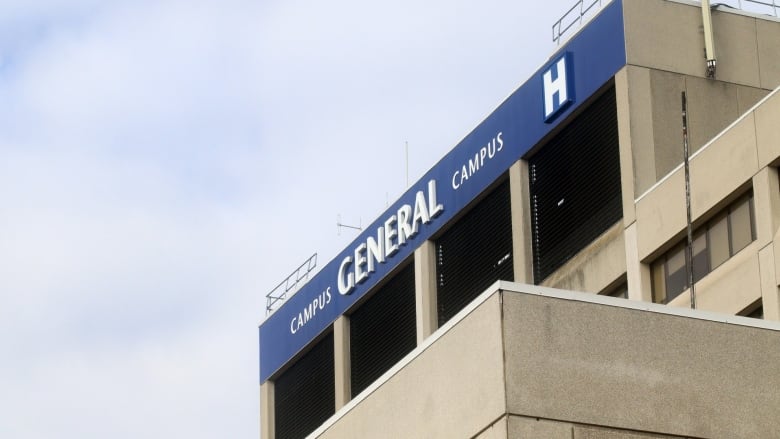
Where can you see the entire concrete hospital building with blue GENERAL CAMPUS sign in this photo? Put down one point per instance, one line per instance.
(463, 311)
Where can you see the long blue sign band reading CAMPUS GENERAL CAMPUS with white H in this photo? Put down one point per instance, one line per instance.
(507, 134)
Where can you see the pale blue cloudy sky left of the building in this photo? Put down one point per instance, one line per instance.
(164, 164)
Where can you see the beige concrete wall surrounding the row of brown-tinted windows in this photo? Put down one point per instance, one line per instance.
(737, 160)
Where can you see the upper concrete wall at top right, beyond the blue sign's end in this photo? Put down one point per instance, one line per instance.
(665, 55)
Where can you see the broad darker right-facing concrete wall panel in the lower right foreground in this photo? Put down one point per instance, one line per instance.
(623, 368)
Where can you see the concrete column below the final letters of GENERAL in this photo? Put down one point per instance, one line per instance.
(425, 290)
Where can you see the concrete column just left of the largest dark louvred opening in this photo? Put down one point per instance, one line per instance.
(520, 197)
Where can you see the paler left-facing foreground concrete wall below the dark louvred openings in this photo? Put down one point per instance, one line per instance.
(454, 388)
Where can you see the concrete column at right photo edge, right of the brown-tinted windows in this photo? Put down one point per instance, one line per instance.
(766, 198)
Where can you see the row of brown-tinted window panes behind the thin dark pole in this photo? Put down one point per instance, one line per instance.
(725, 235)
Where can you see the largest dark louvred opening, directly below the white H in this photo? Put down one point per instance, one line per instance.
(575, 186)
